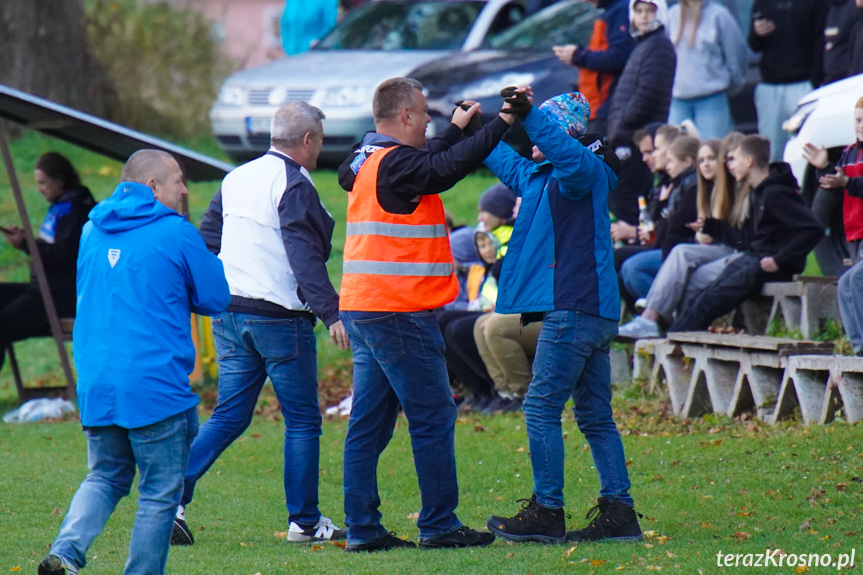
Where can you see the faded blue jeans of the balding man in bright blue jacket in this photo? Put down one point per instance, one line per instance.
(161, 451)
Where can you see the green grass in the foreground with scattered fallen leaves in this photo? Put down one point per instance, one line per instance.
(704, 486)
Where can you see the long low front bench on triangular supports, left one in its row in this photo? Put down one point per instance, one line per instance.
(721, 373)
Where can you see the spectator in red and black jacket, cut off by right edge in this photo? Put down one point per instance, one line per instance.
(846, 177)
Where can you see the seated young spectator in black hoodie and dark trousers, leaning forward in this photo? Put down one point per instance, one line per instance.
(777, 237)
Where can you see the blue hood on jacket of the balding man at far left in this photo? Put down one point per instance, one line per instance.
(130, 206)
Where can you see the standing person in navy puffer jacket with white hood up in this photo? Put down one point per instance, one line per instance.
(642, 96)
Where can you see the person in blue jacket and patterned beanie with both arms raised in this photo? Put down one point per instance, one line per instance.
(559, 268)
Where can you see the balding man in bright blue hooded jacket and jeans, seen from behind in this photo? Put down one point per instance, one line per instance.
(142, 269)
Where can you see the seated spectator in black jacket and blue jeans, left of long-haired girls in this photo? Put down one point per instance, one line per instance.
(680, 195)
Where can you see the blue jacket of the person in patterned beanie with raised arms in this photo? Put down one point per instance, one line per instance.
(560, 253)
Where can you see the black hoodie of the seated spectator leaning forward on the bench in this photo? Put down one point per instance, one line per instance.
(779, 225)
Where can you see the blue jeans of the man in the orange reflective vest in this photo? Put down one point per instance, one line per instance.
(398, 359)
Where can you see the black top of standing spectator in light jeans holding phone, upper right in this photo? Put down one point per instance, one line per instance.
(788, 55)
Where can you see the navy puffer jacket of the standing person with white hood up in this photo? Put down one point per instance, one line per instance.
(643, 93)
